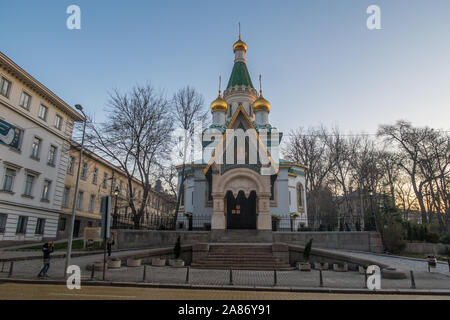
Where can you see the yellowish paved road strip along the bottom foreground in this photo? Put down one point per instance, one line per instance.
(17, 291)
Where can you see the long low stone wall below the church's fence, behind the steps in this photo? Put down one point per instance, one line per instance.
(360, 241)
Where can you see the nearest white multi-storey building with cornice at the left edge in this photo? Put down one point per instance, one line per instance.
(35, 132)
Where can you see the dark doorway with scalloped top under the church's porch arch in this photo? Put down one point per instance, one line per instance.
(241, 211)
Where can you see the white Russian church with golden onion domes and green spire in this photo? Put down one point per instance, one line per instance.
(241, 183)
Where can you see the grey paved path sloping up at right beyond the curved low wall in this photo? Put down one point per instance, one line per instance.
(402, 263)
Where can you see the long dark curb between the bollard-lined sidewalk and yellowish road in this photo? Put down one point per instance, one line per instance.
(429, 292)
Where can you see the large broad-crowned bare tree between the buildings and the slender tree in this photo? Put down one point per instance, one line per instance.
(135, 137)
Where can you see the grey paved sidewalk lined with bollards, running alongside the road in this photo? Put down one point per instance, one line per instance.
(167, 275)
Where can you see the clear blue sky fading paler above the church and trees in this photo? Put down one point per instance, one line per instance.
(320, 63)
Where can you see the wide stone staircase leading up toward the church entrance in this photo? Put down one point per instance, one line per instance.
(241, 256)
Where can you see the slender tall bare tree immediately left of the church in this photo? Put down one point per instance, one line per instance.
(188, 107)
